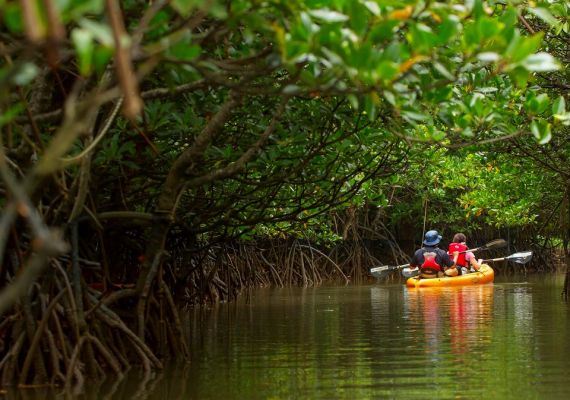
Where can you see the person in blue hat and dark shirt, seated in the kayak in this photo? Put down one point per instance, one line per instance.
(433, 261)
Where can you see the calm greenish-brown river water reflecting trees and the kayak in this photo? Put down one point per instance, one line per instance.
(507, 340)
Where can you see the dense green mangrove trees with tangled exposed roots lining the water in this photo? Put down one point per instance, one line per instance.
(161, 154)
